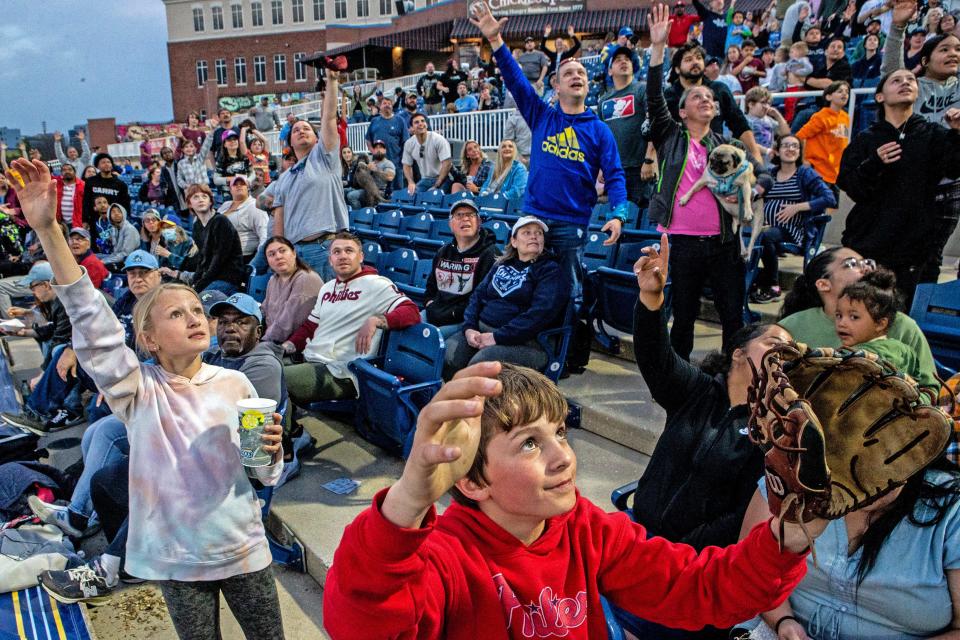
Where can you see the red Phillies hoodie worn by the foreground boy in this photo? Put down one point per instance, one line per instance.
(461, 576)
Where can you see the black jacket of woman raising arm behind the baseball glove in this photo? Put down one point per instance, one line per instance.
(704, 469)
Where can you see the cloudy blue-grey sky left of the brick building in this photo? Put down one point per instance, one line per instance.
(65, 61)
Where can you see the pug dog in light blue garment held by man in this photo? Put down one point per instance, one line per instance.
(729, 173)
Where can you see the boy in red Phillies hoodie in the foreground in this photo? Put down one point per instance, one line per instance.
(520, 554)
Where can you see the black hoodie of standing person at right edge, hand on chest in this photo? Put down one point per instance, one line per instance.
(893, 218)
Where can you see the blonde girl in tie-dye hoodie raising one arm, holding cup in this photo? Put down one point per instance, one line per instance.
(194, 523)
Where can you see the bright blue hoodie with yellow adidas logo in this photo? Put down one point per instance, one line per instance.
(567, 154)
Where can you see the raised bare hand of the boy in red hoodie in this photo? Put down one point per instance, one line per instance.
(444, 445)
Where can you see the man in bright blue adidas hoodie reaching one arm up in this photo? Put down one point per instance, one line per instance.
(571, 146)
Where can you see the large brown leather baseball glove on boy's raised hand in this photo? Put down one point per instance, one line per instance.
(840, 429)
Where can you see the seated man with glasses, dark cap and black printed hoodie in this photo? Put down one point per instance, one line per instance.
(458, 268)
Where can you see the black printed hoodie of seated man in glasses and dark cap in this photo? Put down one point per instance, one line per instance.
(455, 276)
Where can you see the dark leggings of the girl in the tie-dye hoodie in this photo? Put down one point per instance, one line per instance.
(194, 607)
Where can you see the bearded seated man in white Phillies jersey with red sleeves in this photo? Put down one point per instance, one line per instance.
(353, 309)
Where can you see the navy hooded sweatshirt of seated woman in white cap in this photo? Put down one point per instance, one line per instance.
(519, 299)
